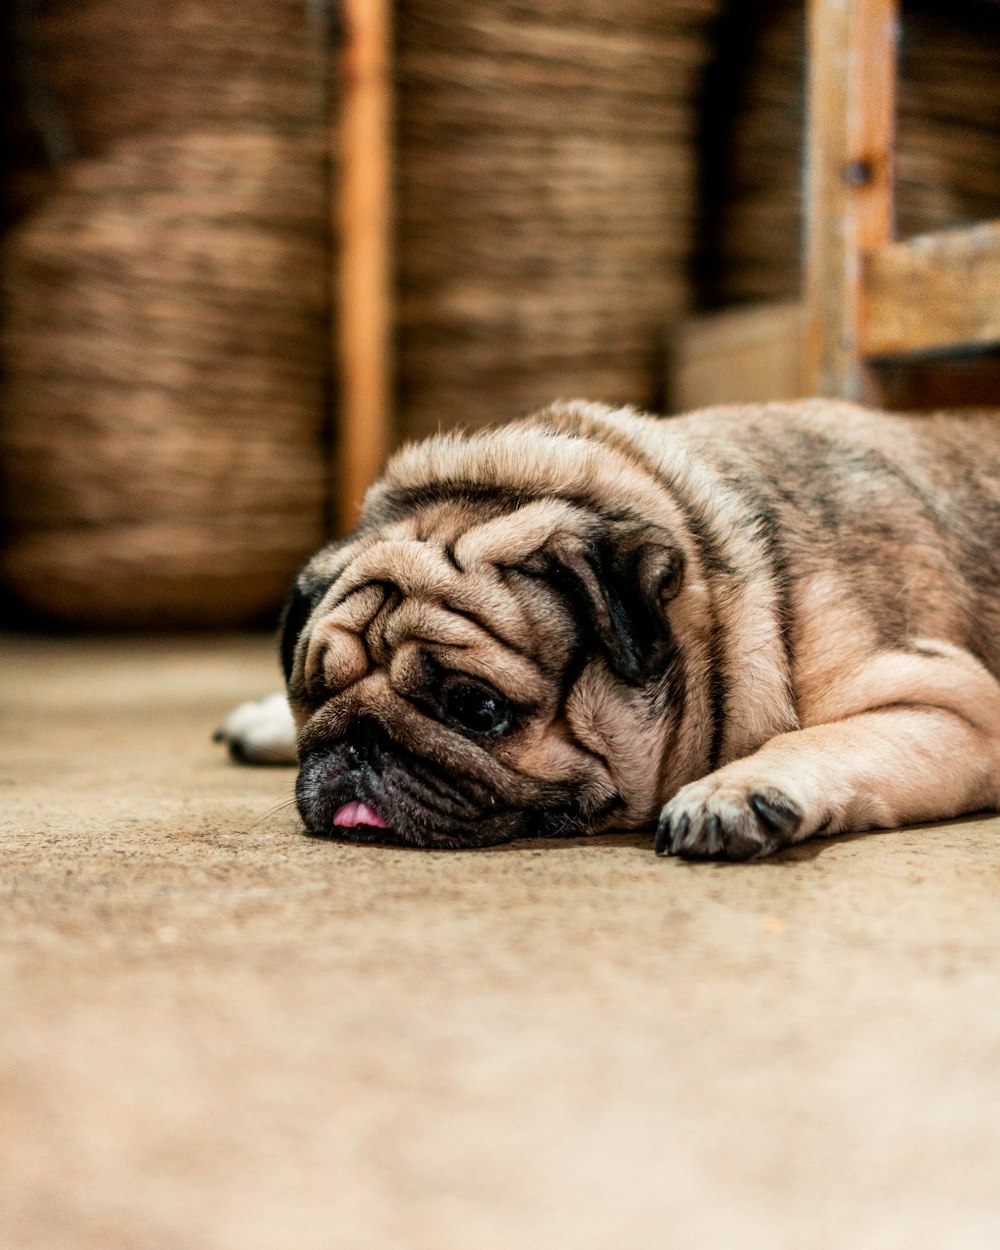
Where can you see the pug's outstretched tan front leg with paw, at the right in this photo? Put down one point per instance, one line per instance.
(926, 748)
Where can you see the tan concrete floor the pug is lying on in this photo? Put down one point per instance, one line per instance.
(219, 1034)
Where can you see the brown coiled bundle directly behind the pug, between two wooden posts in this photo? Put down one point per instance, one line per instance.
(546, 202)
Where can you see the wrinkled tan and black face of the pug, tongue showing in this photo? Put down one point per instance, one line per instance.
(457, 679)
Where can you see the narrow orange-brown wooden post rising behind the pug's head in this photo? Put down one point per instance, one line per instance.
(363, 229)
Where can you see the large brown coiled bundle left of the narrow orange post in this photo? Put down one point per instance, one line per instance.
(166, 337)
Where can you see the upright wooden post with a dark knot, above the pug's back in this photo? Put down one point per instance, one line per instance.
(849, 182)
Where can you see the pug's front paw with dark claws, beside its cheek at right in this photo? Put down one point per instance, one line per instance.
(711, 819)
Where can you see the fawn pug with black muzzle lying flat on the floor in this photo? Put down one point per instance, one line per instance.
(741, 628)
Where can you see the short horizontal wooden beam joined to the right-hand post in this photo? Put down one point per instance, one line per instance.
(934, 293)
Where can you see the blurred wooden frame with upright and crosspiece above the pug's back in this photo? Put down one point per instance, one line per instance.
(866, 298)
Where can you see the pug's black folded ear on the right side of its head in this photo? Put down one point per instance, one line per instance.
(622, 582)
